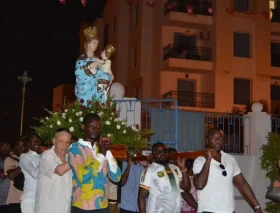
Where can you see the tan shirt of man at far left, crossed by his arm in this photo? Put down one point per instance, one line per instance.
(14, 194)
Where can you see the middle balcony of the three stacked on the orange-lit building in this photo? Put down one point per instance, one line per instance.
(191, 59)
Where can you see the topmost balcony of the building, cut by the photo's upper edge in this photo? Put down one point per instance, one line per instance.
(179, 12)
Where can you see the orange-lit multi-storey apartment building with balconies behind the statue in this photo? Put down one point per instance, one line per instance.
(207, 54)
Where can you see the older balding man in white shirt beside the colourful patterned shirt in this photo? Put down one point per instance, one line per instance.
(54, 187)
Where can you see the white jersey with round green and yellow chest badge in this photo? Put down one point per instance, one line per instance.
(163, 198)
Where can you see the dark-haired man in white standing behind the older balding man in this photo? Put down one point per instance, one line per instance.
(29, 166)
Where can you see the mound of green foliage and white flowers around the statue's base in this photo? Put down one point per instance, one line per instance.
(71, 117)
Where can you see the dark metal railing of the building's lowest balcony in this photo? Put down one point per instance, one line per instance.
(191, 99)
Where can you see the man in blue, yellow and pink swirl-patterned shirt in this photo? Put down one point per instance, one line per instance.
(91, 162)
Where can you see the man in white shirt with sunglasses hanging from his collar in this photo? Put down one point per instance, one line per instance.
(215, 176)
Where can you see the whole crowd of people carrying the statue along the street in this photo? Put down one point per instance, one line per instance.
(75, 177)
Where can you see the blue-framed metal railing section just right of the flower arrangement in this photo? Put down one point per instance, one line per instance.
(153, 113)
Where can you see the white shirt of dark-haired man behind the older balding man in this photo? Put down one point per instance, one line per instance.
(29, 164)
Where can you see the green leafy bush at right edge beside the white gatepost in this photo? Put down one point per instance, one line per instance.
(271, 153)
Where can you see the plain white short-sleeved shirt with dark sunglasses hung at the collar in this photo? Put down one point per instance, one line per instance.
(218, 194)
